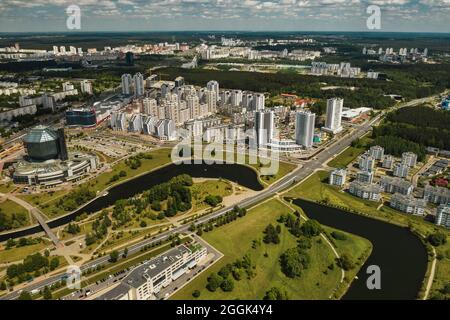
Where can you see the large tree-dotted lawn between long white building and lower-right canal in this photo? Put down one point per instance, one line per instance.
(235, 240)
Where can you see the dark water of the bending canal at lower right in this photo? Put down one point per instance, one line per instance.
(400, 254)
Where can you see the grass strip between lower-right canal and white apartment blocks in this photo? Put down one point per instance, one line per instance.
(315, 189)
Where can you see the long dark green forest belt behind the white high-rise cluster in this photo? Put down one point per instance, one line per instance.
(424, 81)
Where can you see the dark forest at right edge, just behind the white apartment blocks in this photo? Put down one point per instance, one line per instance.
(421, 125)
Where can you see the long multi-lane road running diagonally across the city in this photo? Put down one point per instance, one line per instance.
(288, 180)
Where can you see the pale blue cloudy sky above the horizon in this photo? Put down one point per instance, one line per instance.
(242, 15)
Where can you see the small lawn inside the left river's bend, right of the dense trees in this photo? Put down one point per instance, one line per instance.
(215, 187)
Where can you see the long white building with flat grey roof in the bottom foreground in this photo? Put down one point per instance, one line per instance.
(146, 281)
